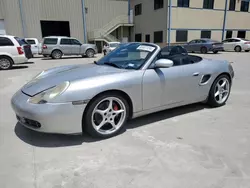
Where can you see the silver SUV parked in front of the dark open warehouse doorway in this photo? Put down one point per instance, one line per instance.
(56, 47)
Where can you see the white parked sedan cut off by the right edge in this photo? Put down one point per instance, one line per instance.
(236, 44)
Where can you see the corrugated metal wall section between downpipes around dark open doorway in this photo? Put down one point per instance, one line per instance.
(56, 10)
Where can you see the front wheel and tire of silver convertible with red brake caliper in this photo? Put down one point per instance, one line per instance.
(105, 116)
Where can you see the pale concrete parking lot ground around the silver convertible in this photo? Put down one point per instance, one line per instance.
(188, 147)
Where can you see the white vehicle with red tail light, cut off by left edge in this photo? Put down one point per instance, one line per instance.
(13, 50)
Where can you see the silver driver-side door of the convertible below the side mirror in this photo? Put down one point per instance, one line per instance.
(172, 86)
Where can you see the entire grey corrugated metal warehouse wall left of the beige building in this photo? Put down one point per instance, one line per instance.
(98, 14)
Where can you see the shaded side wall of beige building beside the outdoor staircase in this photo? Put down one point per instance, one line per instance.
(150, 20)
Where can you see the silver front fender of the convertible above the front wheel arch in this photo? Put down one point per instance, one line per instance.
(129, 82)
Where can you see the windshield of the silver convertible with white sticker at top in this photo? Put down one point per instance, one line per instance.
(128, 56)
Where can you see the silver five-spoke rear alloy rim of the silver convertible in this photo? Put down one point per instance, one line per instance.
(222, 90)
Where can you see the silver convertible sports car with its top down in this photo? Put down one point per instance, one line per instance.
(134, 80)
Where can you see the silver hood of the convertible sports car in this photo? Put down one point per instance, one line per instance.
(52, 77)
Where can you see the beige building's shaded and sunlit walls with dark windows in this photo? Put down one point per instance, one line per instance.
(194, 19)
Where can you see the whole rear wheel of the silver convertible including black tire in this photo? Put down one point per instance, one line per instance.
(218, 96)
